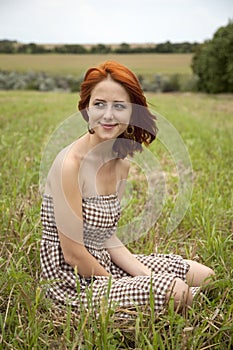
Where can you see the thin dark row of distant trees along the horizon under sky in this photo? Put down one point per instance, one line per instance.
(13, 47)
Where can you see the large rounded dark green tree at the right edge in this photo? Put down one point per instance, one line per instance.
(213, 62)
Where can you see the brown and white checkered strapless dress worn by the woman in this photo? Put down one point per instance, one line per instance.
(100, 218)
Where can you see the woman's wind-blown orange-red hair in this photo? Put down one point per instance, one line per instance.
(142, 121)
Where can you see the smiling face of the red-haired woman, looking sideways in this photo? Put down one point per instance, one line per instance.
(109, 109)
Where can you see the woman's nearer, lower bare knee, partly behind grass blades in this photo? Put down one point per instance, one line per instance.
(181, 294)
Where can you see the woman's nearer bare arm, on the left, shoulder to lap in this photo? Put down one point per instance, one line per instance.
(67, 200)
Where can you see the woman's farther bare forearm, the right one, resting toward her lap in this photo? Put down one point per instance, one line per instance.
(123, 258)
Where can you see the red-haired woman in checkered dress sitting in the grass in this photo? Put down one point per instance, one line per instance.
(81, 205)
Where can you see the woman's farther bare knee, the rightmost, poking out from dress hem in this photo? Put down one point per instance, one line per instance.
(198, 274)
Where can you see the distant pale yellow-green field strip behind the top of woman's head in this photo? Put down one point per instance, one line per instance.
(145, 64)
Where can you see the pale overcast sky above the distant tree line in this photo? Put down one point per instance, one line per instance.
(112, 21)
